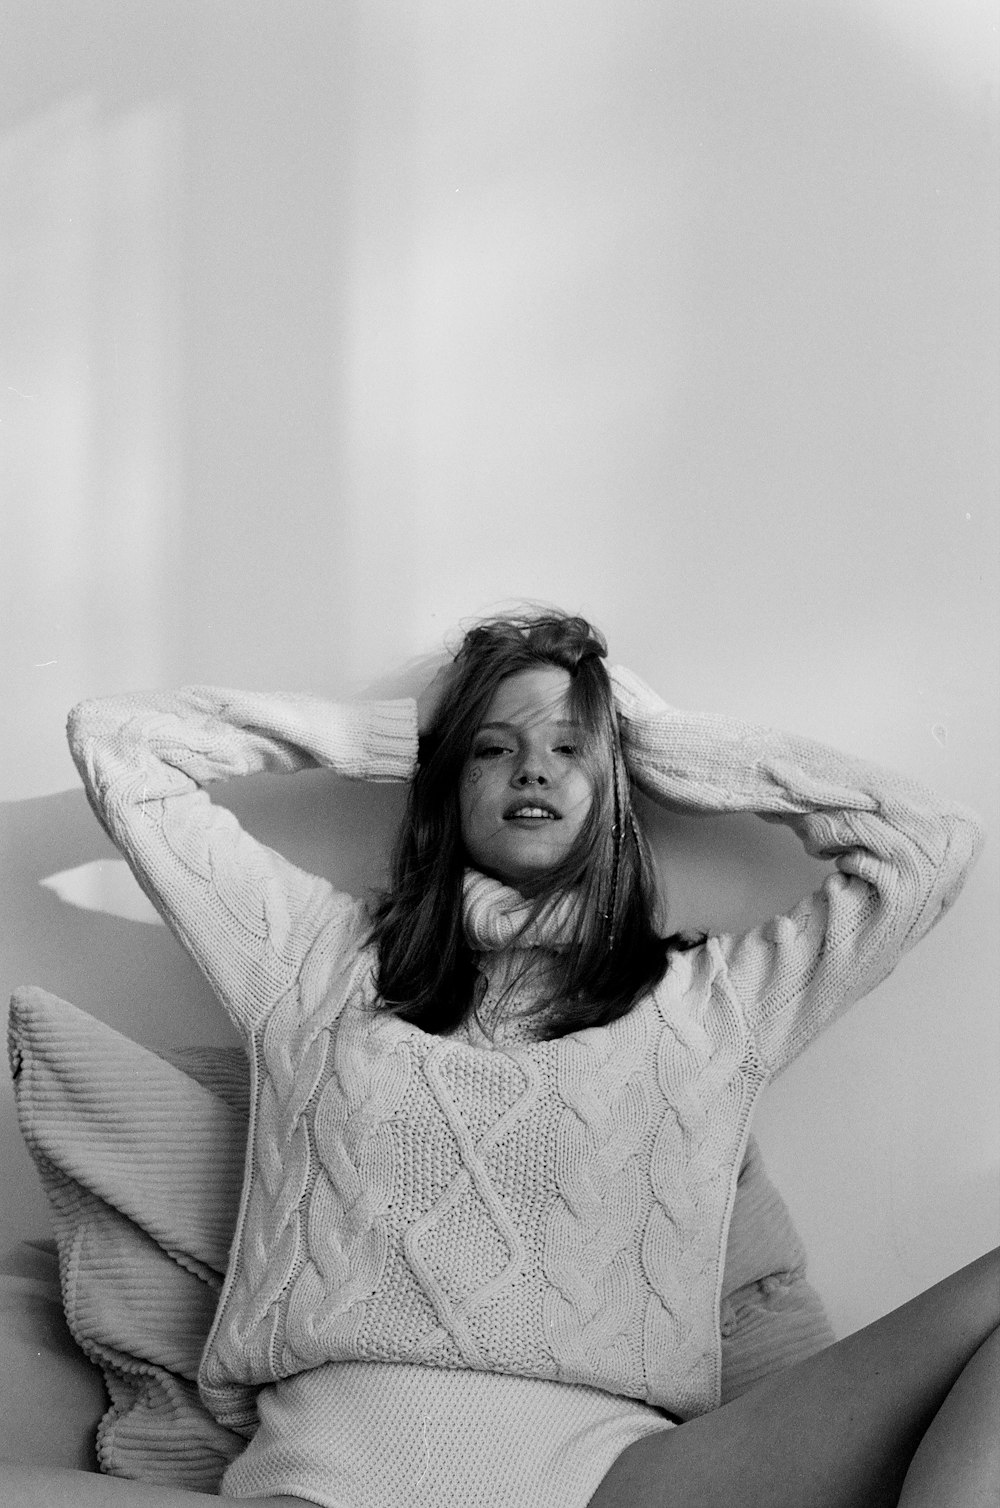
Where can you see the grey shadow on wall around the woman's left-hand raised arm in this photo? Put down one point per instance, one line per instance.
(156, 993)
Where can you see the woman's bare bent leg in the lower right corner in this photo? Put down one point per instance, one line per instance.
(842, 1429)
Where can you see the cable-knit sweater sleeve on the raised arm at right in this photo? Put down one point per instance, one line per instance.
(903, 856)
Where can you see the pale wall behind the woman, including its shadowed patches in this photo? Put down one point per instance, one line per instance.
(330, 326)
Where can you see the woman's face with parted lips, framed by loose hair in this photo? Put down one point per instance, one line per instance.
(526, 791)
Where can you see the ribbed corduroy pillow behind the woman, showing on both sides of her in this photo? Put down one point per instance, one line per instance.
(143, 1162)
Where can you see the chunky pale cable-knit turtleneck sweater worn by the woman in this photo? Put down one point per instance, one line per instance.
(551, 1210)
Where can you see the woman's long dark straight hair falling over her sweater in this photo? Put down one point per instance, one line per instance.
(426, 970)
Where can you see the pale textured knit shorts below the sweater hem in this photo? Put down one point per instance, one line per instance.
(364, 1435)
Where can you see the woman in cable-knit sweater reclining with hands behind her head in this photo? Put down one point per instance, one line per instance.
(498, 1123)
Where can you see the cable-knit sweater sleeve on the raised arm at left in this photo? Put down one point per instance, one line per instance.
(245, 915)
